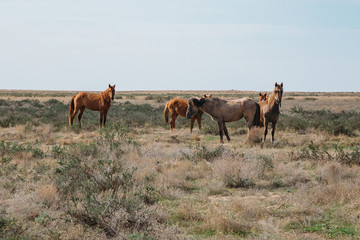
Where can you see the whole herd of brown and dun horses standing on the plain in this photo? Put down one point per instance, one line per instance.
(220, 110)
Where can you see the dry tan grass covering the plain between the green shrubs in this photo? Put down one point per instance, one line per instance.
(194, 187)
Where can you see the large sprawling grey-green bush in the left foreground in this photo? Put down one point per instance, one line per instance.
(104, 194)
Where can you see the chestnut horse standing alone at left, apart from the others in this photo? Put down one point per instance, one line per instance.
(96, 102)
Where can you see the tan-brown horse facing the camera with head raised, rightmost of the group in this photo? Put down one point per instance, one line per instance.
(270, 110)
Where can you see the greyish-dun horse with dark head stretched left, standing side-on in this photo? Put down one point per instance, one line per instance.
(222, 111)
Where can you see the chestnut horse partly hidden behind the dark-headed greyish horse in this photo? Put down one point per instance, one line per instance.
(178, 106)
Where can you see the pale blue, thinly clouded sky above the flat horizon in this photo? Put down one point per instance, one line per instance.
(310, 45)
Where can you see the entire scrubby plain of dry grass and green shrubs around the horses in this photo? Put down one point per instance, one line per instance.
(136, 180)
